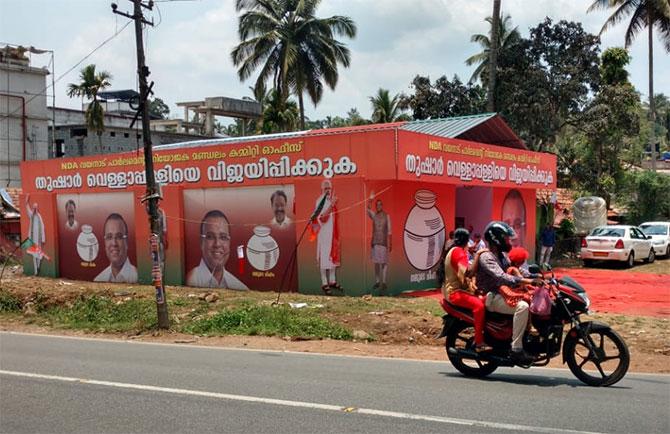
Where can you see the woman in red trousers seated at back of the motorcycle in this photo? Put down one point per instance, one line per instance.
(455, 288)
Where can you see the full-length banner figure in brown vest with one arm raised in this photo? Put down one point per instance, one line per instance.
(380, 243)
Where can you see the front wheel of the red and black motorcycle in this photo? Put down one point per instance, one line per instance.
(609, 360)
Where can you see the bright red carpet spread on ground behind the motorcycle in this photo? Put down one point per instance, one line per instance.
(612, 291)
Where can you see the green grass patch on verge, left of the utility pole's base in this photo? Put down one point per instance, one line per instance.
(101, 314)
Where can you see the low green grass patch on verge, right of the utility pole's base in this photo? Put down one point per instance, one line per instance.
(268, 321)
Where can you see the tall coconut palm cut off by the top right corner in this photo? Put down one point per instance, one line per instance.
(642, 13)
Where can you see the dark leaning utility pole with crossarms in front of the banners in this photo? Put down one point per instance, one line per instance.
(153, 194)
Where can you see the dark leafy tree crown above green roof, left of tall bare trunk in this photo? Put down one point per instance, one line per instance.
(444, 98)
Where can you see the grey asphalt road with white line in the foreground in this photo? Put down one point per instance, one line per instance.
(55, 384)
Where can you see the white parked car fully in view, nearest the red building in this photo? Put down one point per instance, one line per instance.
(617, 243)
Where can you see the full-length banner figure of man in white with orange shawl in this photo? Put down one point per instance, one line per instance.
(328, 237)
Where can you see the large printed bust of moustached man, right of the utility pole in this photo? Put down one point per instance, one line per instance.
(215, 248)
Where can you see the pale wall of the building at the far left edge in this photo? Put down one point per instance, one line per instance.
(21, 85)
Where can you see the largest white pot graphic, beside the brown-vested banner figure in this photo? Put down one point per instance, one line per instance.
(424, 232)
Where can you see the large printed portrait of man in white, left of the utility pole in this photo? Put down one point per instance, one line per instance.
(120, 270)
